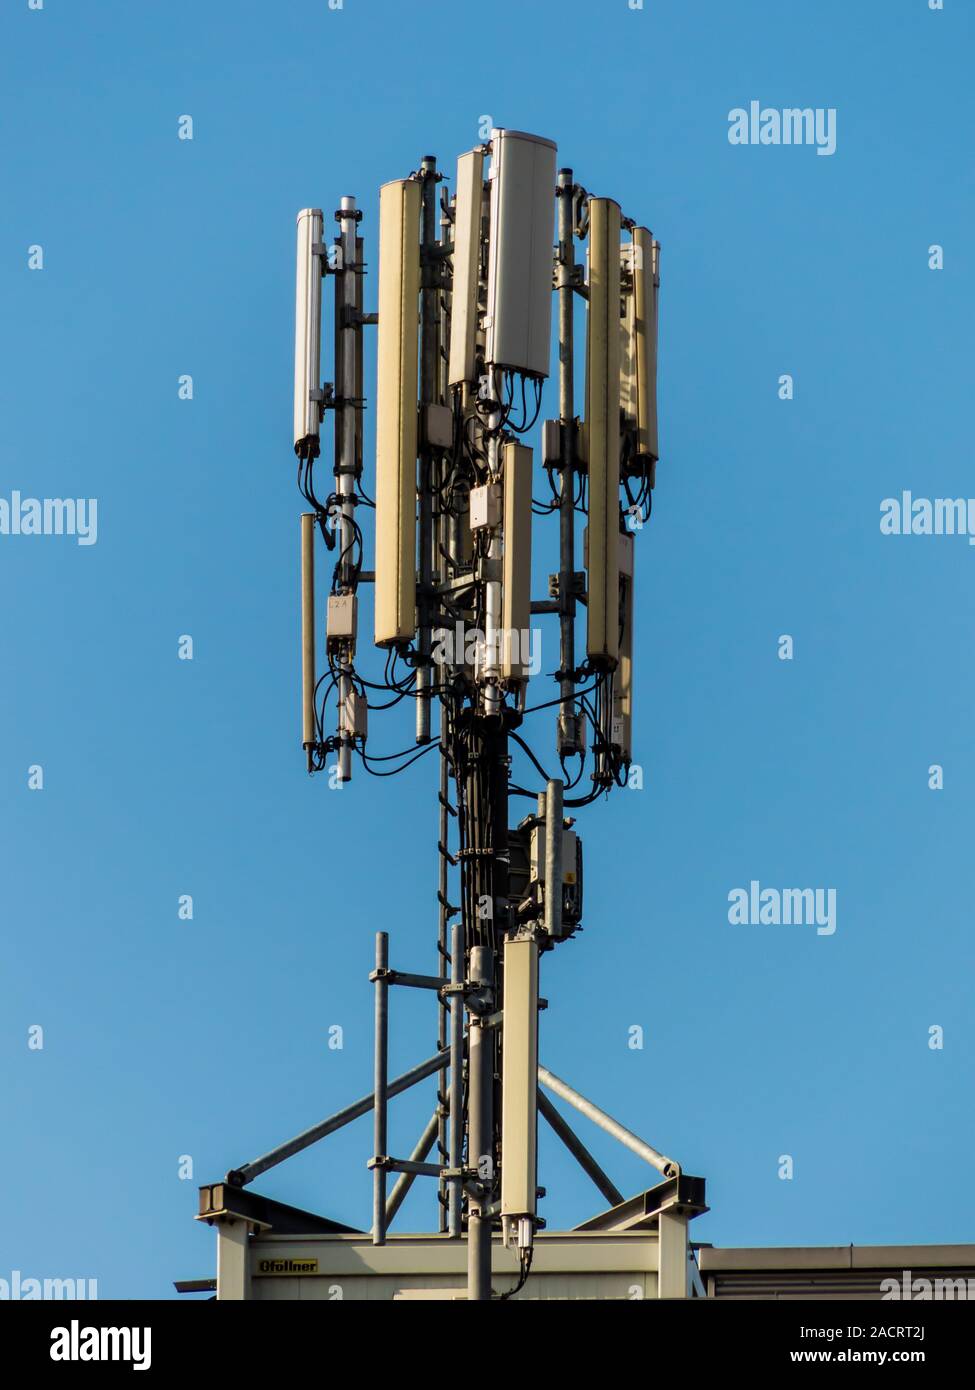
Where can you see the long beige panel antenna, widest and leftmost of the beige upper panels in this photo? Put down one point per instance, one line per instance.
(397, 412)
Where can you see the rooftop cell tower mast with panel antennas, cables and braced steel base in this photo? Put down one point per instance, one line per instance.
(465, 345)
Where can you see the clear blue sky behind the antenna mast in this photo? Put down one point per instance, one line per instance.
(165, 778)
